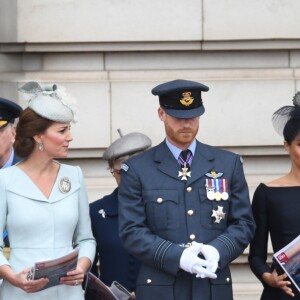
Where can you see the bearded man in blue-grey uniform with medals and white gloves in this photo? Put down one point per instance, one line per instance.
(184, 216)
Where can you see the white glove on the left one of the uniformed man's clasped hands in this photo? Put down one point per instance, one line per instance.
(190, 262)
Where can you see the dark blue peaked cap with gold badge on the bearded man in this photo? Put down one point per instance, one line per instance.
(181, 98)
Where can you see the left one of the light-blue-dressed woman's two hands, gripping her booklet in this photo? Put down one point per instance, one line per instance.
(29, 286)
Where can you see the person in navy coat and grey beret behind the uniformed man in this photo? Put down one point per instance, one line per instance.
(116, 264)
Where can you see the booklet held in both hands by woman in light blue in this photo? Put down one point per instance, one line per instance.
(54, 269)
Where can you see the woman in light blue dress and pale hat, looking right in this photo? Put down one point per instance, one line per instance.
(44, 204)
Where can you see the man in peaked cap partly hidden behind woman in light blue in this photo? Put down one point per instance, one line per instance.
(9, 111)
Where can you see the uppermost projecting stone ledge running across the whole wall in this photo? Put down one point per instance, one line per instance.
(257, 44)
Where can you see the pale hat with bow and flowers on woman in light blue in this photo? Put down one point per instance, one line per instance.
(50, 101)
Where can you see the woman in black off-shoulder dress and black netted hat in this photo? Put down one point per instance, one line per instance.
(276, 207)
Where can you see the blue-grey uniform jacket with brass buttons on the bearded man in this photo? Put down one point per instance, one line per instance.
(158, 212)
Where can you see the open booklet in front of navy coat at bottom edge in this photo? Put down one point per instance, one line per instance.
(97, 290)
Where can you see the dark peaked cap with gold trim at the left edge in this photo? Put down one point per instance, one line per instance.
(9, 111)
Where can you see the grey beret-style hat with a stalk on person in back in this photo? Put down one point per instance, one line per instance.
(128, 144)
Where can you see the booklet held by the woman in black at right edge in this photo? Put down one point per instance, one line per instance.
(288, 258)
